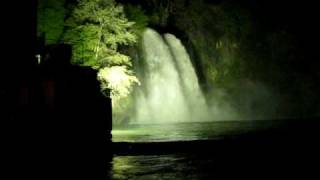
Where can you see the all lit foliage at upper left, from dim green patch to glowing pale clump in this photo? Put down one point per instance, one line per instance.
(96, 29)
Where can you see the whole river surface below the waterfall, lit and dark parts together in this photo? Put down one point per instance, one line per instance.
(287, 153)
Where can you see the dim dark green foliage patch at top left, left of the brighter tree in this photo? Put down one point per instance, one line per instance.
(51, 15)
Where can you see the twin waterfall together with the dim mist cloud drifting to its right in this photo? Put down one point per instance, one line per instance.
(170, 90)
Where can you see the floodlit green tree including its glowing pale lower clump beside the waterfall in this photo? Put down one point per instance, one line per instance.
(96, 29)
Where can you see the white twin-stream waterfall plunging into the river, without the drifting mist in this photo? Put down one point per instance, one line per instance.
(169, 90)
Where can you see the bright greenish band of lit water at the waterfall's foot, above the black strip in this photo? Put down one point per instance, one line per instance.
(187, 131)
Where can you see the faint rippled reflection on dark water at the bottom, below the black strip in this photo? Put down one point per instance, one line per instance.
(160, 167)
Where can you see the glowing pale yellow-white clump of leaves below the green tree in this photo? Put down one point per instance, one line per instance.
(119, 79)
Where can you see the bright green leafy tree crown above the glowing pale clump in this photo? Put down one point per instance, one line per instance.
(96, 29)
